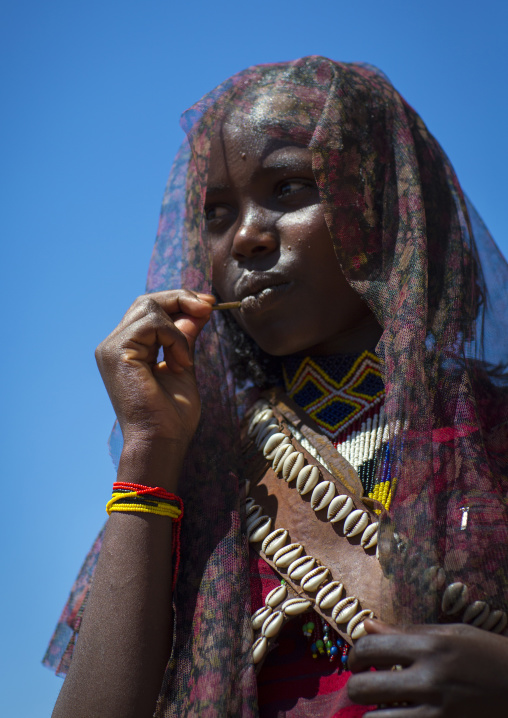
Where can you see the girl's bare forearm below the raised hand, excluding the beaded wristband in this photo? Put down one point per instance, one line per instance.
(125, 637)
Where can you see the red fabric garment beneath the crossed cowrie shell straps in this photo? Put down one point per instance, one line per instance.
(292, 684)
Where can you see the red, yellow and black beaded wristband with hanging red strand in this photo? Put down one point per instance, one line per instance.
(150, 500)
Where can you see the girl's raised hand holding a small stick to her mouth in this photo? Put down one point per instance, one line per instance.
(156, 400)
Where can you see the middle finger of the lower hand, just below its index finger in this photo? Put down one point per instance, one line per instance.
(376, 687)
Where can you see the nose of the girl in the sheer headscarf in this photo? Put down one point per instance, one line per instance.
(255, 235)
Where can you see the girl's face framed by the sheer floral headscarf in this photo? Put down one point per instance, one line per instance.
(272, 250)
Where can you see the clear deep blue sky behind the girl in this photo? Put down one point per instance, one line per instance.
(92, 94)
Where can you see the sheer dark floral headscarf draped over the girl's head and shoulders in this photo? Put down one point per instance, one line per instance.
(413, 247)
